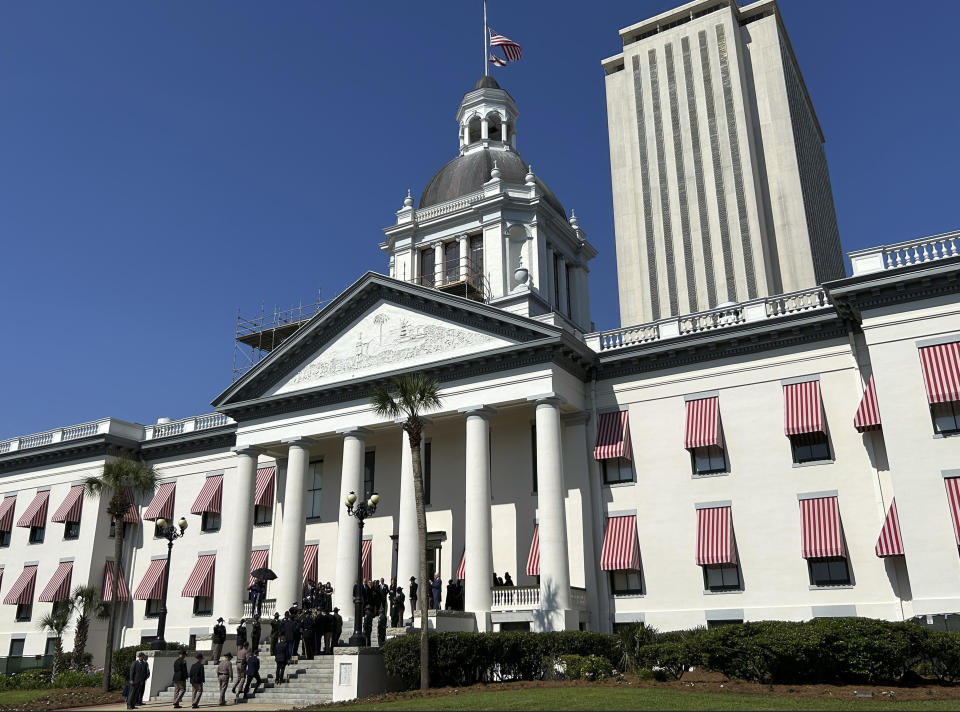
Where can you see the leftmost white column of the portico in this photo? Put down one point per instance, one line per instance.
(234, 569)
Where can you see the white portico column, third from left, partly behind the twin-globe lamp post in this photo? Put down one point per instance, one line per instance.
(348, 540)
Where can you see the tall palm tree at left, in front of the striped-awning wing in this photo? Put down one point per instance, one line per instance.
(119, 477)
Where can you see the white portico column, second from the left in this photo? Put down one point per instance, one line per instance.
(289, 563)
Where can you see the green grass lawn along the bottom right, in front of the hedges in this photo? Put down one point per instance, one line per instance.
(642, 698)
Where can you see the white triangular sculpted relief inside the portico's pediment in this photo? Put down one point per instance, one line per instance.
(387, 337)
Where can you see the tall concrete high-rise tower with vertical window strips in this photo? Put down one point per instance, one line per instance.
(720, 185)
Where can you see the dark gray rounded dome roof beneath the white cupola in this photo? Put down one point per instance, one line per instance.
(467, 173)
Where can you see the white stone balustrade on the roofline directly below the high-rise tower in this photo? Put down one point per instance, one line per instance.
(756, 310)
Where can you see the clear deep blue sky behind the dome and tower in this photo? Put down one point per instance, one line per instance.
(163, 164)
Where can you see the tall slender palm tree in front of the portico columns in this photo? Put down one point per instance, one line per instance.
(408, 396)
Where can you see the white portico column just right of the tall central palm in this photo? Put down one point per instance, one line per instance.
(477, 522)
